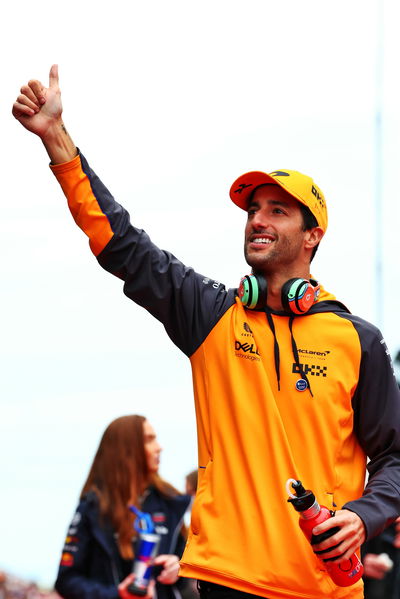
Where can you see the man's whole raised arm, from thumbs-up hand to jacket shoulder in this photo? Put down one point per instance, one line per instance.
(187, 303)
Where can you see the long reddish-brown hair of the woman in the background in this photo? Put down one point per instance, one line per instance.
(119, 474)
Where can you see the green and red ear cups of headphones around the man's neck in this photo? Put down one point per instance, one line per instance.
(297, 295)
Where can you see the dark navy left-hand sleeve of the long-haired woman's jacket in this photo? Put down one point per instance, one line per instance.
(73, 580)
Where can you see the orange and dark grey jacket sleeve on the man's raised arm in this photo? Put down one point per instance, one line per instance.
(187, 303)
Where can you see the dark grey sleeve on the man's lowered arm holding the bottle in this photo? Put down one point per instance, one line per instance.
(376, 405)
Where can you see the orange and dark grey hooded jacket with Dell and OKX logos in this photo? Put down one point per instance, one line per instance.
(256, 427)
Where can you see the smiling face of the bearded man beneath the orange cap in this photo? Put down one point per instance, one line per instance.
(274, 233)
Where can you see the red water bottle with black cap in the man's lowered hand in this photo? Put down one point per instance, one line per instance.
(311, 513)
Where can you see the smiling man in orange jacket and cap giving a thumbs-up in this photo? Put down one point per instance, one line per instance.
(287, 383)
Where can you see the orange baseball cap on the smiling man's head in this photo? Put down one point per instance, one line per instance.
(300, 186)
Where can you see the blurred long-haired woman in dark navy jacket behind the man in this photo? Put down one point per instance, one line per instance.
(98, 554)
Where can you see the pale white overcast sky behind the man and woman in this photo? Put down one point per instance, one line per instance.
(170, 101)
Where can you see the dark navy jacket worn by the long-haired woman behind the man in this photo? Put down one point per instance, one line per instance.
(91, 566)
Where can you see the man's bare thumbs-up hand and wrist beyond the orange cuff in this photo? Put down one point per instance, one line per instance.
(39, 110)
